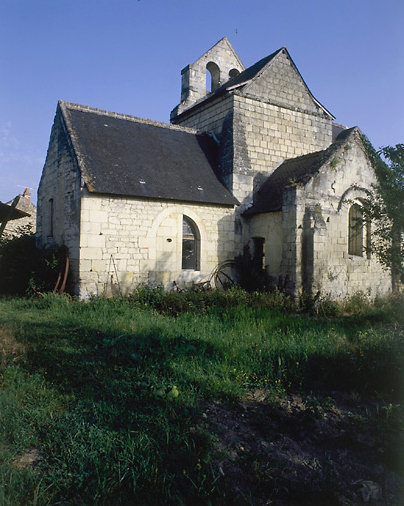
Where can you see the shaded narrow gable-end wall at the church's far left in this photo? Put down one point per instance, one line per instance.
(59, 191)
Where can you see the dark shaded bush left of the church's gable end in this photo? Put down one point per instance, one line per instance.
(26, 269)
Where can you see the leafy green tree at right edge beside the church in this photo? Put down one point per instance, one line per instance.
(384, 207)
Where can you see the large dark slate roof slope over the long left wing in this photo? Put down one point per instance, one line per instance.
(123, 155)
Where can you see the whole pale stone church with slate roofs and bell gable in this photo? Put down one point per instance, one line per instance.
(250, 162)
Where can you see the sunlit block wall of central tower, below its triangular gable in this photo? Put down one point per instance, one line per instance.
(265, 134)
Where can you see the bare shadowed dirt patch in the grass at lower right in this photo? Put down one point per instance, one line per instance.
(343, 450)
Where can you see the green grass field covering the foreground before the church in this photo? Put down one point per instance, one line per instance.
(111, 401)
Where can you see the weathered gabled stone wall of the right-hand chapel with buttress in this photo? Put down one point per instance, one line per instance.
(320, 215)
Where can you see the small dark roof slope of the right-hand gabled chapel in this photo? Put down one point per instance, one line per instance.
(291, 172)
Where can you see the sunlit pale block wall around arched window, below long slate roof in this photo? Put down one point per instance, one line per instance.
(125, 242)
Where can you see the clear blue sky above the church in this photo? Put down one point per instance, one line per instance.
(127, 55)
